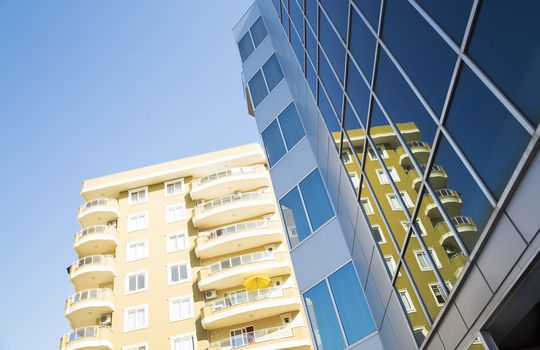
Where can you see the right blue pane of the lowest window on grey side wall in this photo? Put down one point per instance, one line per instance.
(351, 304)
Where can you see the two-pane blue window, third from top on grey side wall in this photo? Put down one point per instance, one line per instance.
(282, 134)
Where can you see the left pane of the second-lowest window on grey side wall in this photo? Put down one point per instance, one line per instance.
(294, 216)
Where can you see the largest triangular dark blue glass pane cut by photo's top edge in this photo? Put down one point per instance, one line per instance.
(452, 16)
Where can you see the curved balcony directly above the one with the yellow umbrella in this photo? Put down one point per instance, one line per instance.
(231, 272)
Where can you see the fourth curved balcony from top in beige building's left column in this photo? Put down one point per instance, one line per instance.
(86, 306)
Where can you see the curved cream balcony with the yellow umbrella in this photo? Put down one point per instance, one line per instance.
(249, 306)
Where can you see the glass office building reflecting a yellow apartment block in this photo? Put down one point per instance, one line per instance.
(402, 138)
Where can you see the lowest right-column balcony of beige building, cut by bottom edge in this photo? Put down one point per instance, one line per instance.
(277, 338)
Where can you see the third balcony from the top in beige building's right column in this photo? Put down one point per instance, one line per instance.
(241, 236)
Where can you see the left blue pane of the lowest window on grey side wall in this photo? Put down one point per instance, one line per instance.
(323, 319)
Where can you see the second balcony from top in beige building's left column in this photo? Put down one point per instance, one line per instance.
(98, 239)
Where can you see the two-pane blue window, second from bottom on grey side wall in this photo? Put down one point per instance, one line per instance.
(306, 208)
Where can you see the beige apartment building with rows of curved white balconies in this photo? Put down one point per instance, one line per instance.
(188, 254)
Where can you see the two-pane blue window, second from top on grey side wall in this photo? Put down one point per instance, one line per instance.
(265, 80)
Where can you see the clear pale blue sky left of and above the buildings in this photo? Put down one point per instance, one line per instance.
(89, 88)
